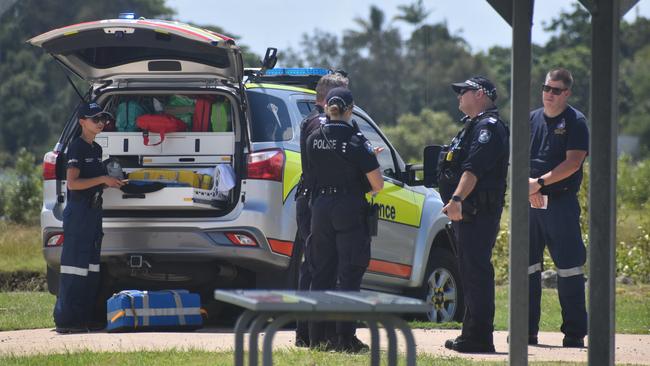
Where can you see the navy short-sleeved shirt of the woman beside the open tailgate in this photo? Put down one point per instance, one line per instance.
(88, 159)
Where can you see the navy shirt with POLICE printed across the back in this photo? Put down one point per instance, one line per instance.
(340, 156)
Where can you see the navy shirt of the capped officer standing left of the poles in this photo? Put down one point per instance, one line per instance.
(487, 151)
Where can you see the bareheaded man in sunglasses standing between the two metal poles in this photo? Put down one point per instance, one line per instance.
(559, 142)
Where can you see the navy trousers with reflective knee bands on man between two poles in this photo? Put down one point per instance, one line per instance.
(558, 227)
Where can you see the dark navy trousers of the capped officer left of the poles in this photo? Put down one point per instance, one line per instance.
(475, 240)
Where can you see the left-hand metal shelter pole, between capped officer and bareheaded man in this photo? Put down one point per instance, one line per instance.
(522, 17)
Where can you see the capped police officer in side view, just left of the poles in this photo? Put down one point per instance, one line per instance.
(472, 181)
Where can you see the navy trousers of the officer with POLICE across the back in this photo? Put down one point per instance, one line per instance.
(339, 250)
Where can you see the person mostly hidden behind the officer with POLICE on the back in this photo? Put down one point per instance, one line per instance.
(303, 193)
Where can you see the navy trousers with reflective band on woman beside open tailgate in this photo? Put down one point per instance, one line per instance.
(79, 281)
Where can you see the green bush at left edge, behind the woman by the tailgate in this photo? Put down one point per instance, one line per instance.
(22, 194)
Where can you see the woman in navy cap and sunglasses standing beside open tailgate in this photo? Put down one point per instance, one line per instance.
(82, 225)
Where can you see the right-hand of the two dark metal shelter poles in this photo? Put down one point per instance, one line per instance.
(605, 19)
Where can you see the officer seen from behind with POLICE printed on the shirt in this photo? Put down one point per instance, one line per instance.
(345, 168)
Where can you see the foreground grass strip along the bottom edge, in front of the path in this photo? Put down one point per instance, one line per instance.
(280, 357)
